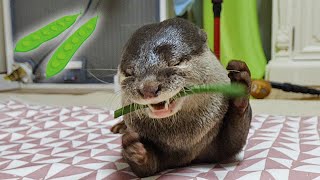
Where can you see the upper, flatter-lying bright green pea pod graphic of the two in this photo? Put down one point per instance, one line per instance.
(48, 32)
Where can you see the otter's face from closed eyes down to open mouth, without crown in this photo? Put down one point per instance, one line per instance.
(155, 87)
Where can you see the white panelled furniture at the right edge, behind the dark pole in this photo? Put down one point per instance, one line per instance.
(295, 42)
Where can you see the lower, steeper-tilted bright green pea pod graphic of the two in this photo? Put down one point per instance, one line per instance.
(69, 47)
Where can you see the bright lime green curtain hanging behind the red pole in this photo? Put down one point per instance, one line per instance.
(240, 35)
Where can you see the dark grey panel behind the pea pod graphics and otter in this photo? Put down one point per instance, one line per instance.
(118, 19)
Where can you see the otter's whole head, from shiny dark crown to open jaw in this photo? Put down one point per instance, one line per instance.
(157, 63)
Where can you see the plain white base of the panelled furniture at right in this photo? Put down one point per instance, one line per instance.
(305, 73)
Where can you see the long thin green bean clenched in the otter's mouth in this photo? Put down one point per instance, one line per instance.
(231, 90)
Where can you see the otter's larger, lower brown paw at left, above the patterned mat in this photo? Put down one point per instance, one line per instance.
(133, 149)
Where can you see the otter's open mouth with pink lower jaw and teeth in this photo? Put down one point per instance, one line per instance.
(165, 108)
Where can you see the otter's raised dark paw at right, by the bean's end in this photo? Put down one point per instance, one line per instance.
(240, 73)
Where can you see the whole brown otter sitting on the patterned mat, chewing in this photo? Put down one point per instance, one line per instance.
(157, 62)
